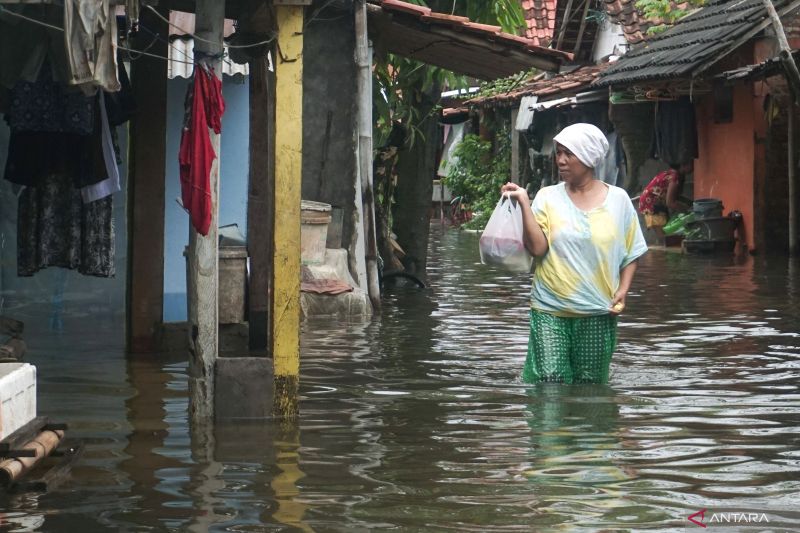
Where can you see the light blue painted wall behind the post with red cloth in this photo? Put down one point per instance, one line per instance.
(233, 184)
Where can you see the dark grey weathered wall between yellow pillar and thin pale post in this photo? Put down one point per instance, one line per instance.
(329, 115)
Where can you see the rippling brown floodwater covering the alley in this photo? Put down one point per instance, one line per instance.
(418, 421)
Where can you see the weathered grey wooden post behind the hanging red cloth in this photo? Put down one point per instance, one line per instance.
(203, 251)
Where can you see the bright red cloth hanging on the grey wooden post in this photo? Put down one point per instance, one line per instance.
(204, 109)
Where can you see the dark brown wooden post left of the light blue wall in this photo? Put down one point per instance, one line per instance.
(146, 189)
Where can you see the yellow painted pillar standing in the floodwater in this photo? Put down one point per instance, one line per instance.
(288, 174)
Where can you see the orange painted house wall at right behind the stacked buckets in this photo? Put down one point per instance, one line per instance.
(726, 162)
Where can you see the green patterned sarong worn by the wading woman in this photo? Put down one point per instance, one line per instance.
(570, 349)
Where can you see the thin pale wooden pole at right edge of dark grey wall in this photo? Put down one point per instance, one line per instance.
(364, 89)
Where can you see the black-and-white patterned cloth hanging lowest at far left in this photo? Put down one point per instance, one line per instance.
(56, 229)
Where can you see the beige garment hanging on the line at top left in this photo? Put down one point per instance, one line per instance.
(90, 38)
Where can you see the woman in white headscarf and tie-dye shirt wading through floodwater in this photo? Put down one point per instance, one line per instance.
(586, 237)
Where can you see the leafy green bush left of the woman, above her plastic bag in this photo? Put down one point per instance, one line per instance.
(480, 169)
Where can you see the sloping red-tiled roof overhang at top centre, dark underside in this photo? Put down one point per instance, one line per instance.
(479, 50)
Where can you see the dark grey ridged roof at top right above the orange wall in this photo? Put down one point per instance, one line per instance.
(693, 44)
